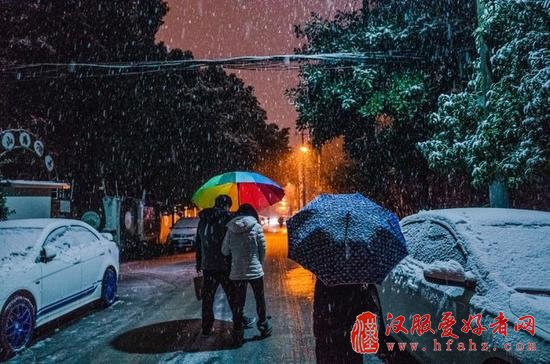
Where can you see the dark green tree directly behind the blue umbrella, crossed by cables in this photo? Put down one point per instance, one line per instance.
(381, 107)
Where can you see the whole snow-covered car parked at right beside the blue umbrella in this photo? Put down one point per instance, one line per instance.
(472, 261)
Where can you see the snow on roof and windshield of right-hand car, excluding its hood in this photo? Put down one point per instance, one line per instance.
(513, 244)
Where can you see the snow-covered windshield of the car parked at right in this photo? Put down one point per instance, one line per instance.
(518, 254)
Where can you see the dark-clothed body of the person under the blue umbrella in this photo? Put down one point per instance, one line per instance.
(334, 311)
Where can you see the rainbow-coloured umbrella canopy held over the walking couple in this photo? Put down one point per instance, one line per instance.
(242, 187)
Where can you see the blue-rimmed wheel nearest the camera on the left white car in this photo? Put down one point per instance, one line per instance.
(16, 325)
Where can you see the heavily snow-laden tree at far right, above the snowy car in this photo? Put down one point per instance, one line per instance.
(502, 134)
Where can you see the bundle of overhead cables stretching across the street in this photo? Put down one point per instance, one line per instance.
(44, 71)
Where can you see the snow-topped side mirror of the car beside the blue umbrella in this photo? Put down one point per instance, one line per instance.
(449, 273)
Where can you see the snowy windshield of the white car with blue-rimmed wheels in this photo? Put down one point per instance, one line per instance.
(17, 241)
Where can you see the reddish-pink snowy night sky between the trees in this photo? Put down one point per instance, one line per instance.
(225, 28)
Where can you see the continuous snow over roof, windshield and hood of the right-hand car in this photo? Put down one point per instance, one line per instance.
(511, 251)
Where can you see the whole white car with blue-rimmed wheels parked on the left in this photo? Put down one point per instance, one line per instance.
(48, 268)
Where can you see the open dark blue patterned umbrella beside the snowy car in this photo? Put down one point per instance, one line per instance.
(346, 239)
